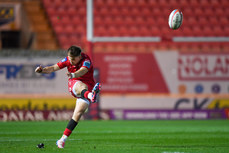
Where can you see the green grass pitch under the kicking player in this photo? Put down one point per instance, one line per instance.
(150, 136)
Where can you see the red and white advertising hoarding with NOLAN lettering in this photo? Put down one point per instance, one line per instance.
(164, 72)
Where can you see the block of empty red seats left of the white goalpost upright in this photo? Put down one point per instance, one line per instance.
(68, 19)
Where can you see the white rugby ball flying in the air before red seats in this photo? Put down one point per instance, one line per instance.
(175, 19)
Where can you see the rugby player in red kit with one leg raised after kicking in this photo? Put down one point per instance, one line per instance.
(81, 85)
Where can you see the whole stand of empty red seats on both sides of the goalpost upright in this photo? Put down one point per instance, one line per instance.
(202, 18)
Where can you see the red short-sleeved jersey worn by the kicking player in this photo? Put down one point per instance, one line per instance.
(87, 78)
